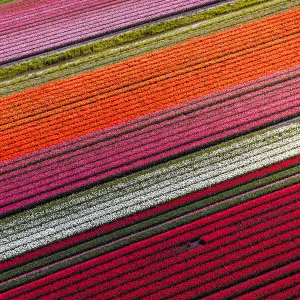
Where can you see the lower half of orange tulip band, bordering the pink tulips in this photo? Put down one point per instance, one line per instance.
(192, 83)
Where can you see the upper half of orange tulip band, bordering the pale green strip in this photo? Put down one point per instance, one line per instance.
(137, 70)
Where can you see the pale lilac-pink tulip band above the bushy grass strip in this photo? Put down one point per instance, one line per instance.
(71, 27)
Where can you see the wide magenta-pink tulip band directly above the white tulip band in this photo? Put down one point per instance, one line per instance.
(150, 144)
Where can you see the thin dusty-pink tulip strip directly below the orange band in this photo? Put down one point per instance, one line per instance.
(154, 118)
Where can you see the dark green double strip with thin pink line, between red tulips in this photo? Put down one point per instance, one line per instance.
(257, 188)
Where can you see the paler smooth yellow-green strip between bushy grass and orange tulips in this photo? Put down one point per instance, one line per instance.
(118, 54)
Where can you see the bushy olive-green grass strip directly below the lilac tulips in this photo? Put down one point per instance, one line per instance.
(121, 39)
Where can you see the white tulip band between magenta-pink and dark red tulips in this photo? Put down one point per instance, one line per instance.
(100, 205)
